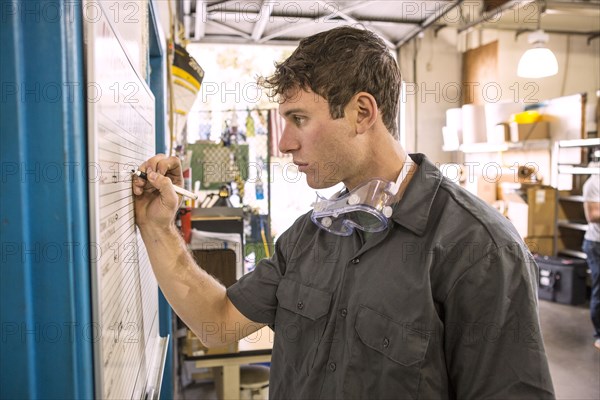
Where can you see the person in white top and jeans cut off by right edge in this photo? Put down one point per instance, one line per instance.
(591, 244)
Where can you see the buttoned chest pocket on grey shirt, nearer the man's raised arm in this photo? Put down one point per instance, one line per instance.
(300, 323)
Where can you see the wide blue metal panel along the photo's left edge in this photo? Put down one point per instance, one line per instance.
(44, 279)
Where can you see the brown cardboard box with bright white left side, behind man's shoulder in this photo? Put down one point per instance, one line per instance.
(533, 211)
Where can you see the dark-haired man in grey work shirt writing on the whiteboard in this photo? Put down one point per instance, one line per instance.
(403, 286)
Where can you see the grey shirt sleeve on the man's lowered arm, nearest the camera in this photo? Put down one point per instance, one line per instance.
(493, 343)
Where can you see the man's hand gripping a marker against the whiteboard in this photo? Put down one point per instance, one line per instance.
(156, 202)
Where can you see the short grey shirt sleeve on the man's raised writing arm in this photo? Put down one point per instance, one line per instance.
(254, 295)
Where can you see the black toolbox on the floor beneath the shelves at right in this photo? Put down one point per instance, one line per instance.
(562, 279)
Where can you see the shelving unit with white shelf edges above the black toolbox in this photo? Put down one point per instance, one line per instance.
(571, 222)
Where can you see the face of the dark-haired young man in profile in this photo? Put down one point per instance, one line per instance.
(319, 144)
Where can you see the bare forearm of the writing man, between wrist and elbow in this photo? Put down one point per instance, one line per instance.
(198, 299)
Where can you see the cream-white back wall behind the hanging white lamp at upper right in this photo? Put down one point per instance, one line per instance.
(438, 67)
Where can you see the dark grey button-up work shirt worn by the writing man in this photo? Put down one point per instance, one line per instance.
(440, 305)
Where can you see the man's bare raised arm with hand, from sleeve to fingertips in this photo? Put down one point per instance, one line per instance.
(197, 298)
